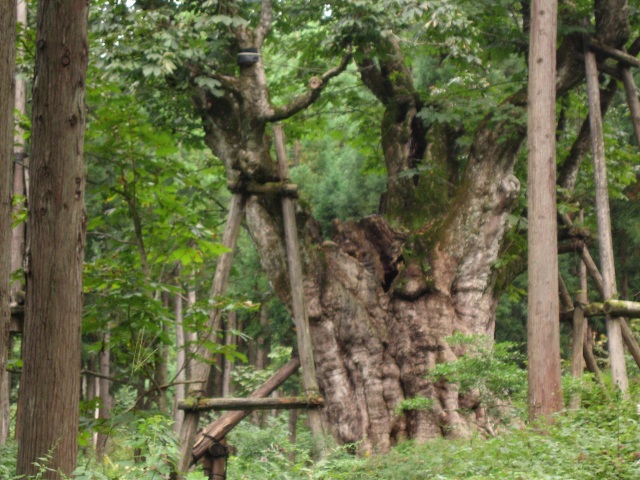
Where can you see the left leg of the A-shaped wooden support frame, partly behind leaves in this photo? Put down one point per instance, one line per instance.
(201, 368)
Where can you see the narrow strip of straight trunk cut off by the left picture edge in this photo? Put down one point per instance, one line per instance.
(7, 86)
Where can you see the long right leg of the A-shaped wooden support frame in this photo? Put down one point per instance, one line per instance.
(309, 380)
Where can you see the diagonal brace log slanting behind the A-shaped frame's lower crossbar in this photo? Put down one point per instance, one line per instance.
(218, 429)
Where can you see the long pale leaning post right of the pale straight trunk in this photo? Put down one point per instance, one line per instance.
(614, 330)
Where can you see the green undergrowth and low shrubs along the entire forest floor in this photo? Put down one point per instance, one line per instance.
(601, 440)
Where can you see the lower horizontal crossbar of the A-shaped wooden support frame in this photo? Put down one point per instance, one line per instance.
(280, 403)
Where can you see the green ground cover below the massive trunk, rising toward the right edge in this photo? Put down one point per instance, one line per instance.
(596, 442)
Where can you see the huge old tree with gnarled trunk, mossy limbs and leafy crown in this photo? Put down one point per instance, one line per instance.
(386, 291)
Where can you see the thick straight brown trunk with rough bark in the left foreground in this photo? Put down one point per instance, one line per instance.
(50, 383)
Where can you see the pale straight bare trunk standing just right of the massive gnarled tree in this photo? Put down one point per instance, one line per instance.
(545, 390)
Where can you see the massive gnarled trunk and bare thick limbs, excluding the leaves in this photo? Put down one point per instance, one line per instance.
(384, 294)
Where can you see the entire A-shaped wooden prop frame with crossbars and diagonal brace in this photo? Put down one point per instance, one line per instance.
(208, 444)
